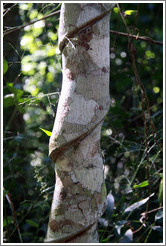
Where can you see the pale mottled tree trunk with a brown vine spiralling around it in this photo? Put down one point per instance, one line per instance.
(80, 192)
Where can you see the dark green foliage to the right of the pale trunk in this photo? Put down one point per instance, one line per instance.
(126, 166)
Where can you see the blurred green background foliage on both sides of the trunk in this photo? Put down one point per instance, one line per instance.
(32, 84)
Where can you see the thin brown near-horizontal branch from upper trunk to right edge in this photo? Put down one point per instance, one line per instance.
(136, 37)
